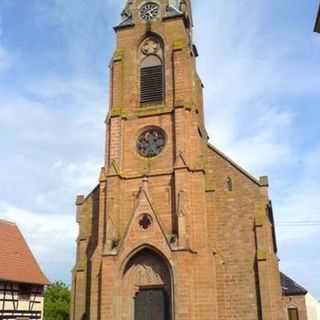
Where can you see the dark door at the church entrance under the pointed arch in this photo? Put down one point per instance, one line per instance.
(152, 304)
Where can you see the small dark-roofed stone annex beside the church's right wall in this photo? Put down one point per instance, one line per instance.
(294, 298)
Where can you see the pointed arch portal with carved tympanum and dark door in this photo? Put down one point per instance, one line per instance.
(147, 285)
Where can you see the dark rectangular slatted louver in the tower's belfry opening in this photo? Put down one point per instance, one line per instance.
(151, 84)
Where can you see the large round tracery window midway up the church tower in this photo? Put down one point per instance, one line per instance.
(151, 142)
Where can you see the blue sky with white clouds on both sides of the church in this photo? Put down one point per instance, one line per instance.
(260, 63)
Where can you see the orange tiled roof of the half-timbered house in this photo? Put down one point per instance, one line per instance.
(17, 263)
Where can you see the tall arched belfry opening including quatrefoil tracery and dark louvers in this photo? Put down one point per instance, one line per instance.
(151, 72)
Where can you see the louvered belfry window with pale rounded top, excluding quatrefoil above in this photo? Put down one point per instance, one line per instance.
(151, 80)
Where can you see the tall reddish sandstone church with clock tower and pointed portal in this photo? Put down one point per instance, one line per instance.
(174, 230)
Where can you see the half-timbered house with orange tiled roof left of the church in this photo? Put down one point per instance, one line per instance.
(21, 279)
